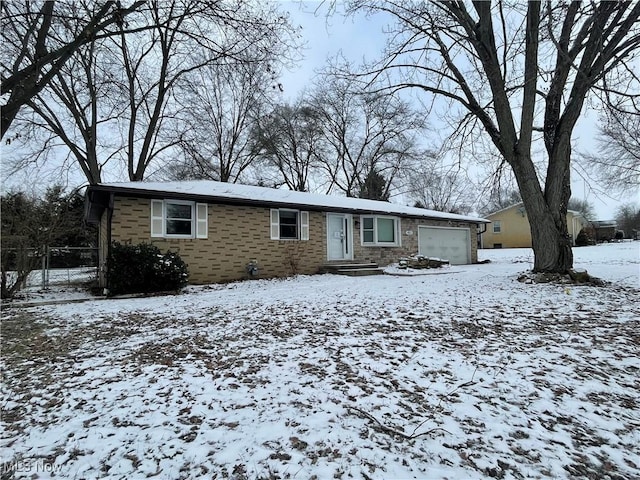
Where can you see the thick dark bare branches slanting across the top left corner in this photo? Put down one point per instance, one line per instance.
(34, 51)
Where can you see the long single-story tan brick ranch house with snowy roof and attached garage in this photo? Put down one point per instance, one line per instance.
(219, 228)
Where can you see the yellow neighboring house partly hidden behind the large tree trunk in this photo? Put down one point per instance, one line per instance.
(509, 228)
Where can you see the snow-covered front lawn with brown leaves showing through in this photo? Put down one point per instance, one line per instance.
(459, 373)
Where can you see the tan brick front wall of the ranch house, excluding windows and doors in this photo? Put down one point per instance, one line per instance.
(239, 234)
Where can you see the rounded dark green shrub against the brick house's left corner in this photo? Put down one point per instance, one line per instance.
(143, 268)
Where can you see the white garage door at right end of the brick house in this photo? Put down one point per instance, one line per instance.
(445, 243)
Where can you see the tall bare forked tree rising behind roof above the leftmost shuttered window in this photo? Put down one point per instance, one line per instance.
(235, 31)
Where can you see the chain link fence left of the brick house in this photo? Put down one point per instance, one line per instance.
(52, 266)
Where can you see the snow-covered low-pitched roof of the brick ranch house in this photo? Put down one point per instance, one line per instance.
(233, 193)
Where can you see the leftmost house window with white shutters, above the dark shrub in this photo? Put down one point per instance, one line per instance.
(179, 219)
